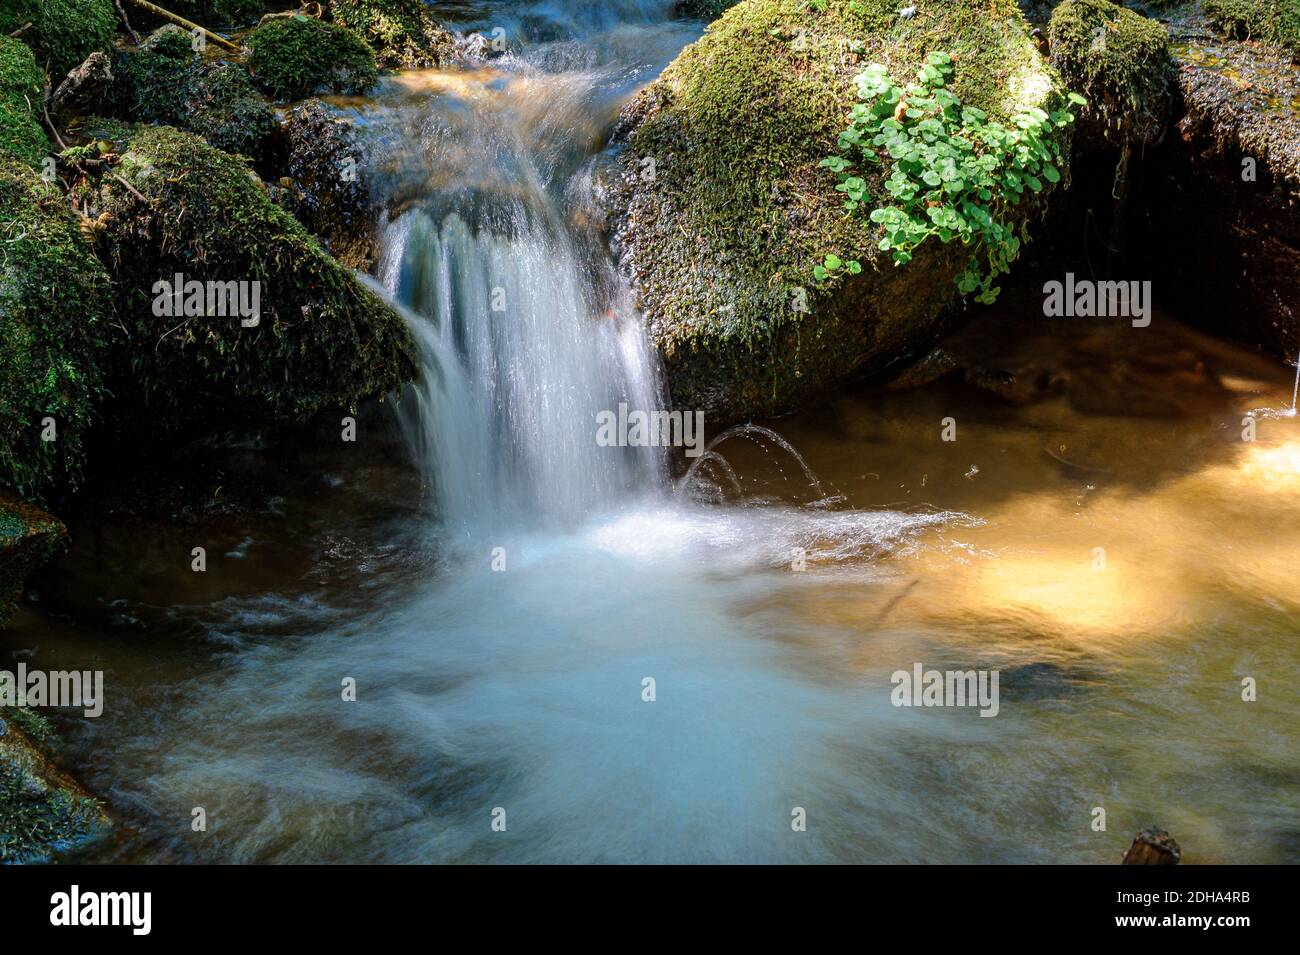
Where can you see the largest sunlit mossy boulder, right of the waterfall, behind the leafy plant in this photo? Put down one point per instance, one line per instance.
(723, 211)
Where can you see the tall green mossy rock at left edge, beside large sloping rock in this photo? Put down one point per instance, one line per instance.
(55, 307)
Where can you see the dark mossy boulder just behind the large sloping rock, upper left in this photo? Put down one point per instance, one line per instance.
(167, 83)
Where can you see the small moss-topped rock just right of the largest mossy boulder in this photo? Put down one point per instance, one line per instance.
(1120, 62)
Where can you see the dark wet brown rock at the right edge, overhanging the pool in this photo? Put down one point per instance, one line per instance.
(1225, 223)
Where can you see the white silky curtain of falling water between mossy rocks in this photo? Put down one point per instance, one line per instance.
(517, 366)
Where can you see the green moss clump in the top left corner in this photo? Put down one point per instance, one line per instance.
(63, 33)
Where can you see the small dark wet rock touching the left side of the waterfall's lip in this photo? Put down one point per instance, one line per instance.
(326, 160)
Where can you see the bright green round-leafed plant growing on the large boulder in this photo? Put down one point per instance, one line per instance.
(954, 172)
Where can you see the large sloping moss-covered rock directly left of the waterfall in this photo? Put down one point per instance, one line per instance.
(322, 340)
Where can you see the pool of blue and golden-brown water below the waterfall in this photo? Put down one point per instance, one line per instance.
(1120, 688)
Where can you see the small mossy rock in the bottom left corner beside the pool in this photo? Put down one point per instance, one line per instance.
(42, 810)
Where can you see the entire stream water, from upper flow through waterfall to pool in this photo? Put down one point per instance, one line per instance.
(501, 588)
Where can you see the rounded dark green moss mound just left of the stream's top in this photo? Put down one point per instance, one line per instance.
(298, 57)
